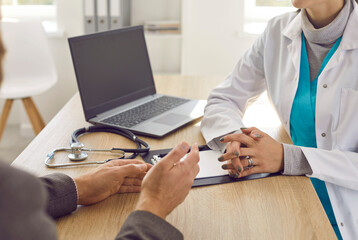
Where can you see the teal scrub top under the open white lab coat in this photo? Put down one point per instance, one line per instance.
(303, 124)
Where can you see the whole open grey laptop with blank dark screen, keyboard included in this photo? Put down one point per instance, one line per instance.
(117, 88)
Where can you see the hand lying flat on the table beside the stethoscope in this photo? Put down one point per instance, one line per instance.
(116, 176)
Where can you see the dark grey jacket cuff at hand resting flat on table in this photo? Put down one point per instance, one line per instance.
(62, 194)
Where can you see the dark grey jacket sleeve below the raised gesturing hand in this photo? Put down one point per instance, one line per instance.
(145, 225)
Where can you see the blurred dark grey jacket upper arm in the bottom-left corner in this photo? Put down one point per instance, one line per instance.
(22, 207)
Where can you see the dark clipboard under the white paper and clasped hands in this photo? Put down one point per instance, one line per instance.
(208, 180)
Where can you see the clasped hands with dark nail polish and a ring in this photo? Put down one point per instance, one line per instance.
(265, 153)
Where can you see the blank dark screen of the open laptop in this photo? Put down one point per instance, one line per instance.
(112, 68)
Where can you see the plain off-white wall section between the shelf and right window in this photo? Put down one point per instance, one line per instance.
(213, 37)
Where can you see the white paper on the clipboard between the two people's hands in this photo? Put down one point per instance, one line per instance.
(209, 164)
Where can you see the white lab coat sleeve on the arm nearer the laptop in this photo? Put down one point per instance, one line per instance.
(228, 101)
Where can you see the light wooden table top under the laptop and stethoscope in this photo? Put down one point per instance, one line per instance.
(279, 207)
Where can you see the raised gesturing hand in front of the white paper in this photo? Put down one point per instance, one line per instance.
(168, 183)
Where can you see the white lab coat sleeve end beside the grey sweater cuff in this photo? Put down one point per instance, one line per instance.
(333, 166)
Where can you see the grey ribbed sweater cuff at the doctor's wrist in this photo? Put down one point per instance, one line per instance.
(295, 162)
